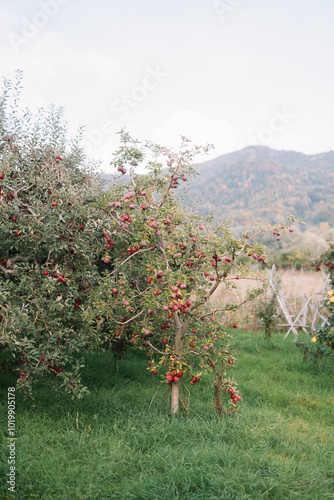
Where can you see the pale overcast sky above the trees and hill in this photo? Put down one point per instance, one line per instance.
(228, 72)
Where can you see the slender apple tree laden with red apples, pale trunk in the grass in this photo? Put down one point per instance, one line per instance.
(165, 263)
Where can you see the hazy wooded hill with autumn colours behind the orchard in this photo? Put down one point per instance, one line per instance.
(260, 183)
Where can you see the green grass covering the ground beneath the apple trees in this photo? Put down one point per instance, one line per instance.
(114, 445)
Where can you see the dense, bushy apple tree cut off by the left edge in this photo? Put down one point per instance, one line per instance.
(51, 243)
